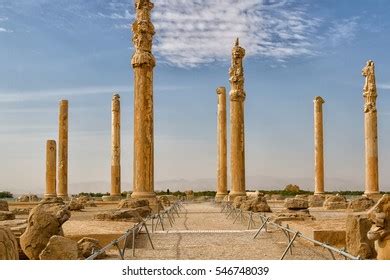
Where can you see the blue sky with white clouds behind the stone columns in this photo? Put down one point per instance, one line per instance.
(80, 50)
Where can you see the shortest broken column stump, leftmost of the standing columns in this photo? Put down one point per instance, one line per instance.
(51, 171)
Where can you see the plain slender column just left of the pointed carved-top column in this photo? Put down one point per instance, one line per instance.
(222, 146)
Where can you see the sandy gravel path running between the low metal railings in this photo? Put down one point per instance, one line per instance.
(203, 232)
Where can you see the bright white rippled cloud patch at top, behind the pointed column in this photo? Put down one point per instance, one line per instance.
(193, 32)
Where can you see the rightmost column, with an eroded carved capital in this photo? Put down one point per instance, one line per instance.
(370, 129)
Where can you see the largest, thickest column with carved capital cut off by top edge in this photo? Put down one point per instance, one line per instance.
(143, 63)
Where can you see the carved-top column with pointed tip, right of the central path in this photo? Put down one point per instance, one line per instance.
(237, 98)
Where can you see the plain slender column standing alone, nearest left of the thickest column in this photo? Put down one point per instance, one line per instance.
(116, 148)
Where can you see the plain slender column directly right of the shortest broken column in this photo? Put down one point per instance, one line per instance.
(63, 150)
